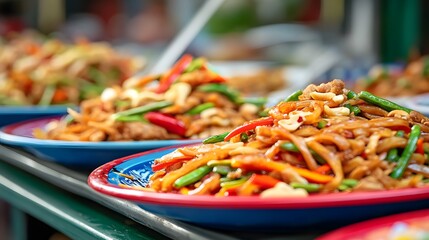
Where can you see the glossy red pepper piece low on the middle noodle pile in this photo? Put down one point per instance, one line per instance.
(171, 124)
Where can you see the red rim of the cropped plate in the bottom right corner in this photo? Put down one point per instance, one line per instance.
(357, 229)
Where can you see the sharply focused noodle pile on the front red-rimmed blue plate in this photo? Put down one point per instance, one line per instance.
(323, 139)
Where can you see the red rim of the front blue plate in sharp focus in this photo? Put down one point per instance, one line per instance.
(98, 181)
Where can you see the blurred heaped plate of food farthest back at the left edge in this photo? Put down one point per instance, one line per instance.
(40, 76)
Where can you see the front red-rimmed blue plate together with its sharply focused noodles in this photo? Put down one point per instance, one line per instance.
(325, 156)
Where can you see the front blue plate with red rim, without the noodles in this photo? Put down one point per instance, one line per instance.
(321, 211)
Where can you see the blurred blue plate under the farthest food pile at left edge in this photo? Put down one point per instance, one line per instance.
(9, 115)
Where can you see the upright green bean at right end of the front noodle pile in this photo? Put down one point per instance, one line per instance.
(411, 146)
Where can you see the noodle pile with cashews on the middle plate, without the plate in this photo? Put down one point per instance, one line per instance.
(188, 101)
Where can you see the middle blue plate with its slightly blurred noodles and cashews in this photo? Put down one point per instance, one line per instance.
(183, 105)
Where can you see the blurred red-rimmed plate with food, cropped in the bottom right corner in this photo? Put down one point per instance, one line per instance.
(411, 225)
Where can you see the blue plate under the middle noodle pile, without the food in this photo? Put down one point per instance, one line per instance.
(77, 154)
